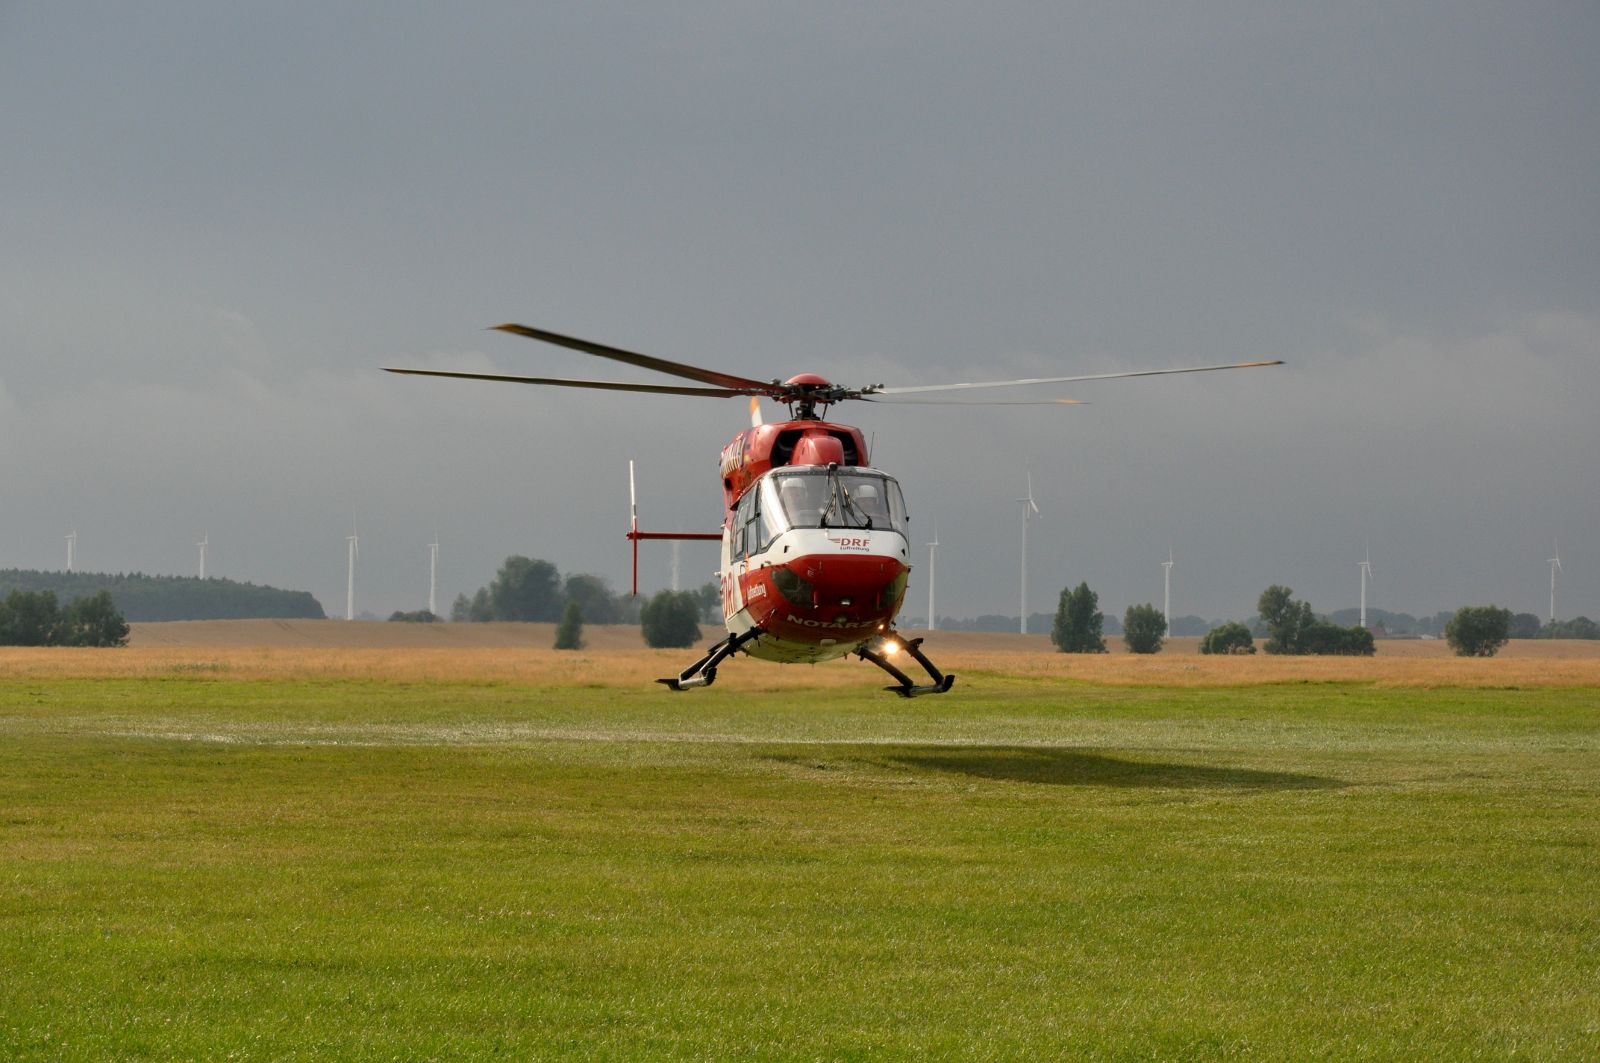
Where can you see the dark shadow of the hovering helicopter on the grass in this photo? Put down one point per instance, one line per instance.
(1062, 766)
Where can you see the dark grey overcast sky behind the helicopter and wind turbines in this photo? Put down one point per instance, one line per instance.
(218, 222)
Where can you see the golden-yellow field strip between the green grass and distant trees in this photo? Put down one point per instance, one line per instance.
(617, 657)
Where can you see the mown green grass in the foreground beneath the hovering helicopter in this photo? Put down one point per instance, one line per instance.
(207, 868)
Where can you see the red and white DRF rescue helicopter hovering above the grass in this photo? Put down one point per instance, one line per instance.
(815, 540)
